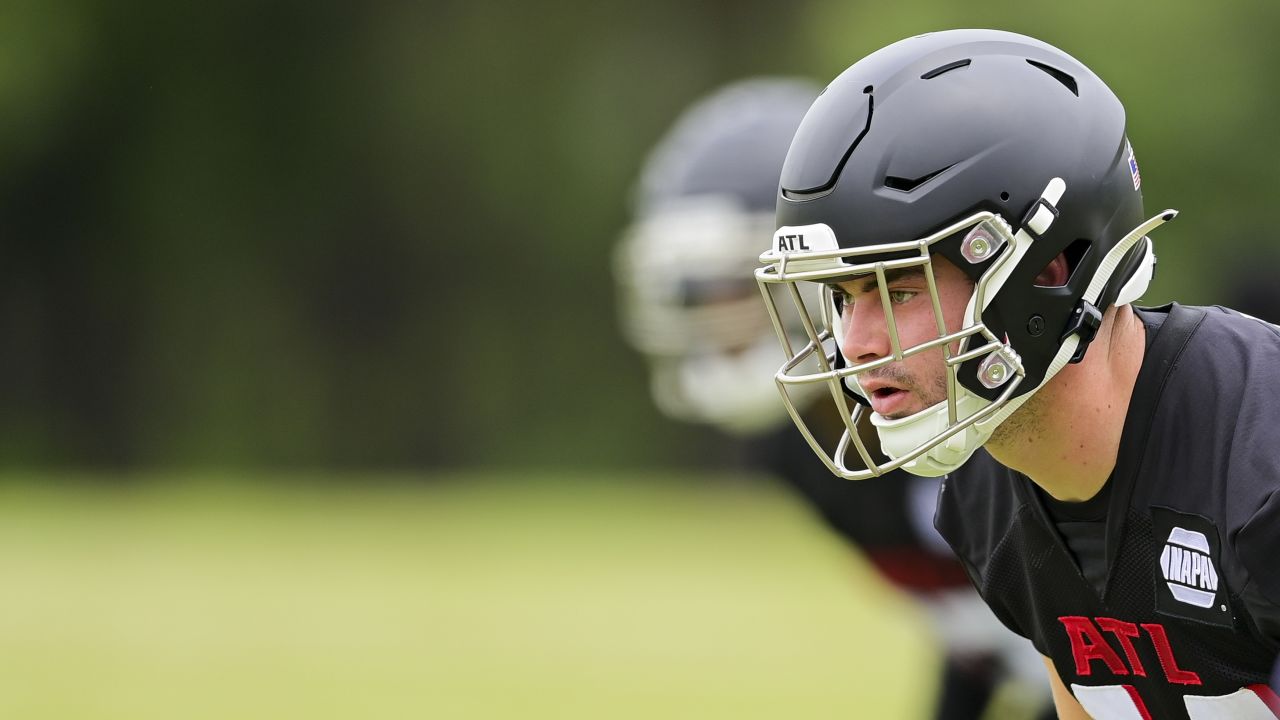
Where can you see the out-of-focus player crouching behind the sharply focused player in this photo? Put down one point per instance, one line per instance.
(691, 304)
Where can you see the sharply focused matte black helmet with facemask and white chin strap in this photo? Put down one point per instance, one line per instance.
(999, 153)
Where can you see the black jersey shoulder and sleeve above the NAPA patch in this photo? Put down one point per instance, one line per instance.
(1213, 448)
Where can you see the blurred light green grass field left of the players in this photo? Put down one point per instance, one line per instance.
(467, 596)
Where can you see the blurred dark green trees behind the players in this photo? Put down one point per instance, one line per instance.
(294, 234)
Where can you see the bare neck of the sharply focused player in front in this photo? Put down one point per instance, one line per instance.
(1067, 436)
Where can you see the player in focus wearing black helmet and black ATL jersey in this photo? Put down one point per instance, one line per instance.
(970, 209)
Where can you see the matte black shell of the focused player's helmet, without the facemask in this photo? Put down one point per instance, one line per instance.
(939, 127)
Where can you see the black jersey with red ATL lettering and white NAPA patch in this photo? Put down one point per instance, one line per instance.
(1186, 623)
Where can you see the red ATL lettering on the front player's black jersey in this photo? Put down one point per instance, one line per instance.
(1089, 645)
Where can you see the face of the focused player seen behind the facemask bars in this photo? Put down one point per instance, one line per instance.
(917, 382)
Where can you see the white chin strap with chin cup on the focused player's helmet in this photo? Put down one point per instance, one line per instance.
(902, 438)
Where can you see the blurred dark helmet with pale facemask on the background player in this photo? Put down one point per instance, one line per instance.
(705, 206)
